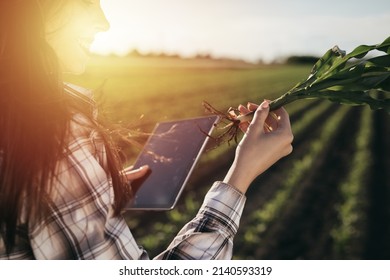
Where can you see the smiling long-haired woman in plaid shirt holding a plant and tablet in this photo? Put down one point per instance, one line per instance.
(62, 189)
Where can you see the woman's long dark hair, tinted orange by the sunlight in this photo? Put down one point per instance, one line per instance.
(35, 113)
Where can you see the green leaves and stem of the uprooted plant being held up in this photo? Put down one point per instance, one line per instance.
(356, 78)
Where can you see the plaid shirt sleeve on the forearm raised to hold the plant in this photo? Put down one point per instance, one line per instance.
(210, 234)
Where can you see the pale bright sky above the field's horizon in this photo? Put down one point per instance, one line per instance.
(251, 30)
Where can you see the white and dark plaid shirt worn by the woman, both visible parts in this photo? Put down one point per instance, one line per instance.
(82, 225)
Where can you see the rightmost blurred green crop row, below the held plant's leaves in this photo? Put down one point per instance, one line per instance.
(352, 206)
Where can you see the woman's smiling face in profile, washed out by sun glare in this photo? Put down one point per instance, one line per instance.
(71, 29)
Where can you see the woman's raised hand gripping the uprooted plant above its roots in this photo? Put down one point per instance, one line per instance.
(267, 138)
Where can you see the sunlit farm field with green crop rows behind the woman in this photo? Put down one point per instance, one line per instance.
(329, 199)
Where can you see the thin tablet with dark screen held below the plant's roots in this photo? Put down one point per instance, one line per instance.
(171, 152)
